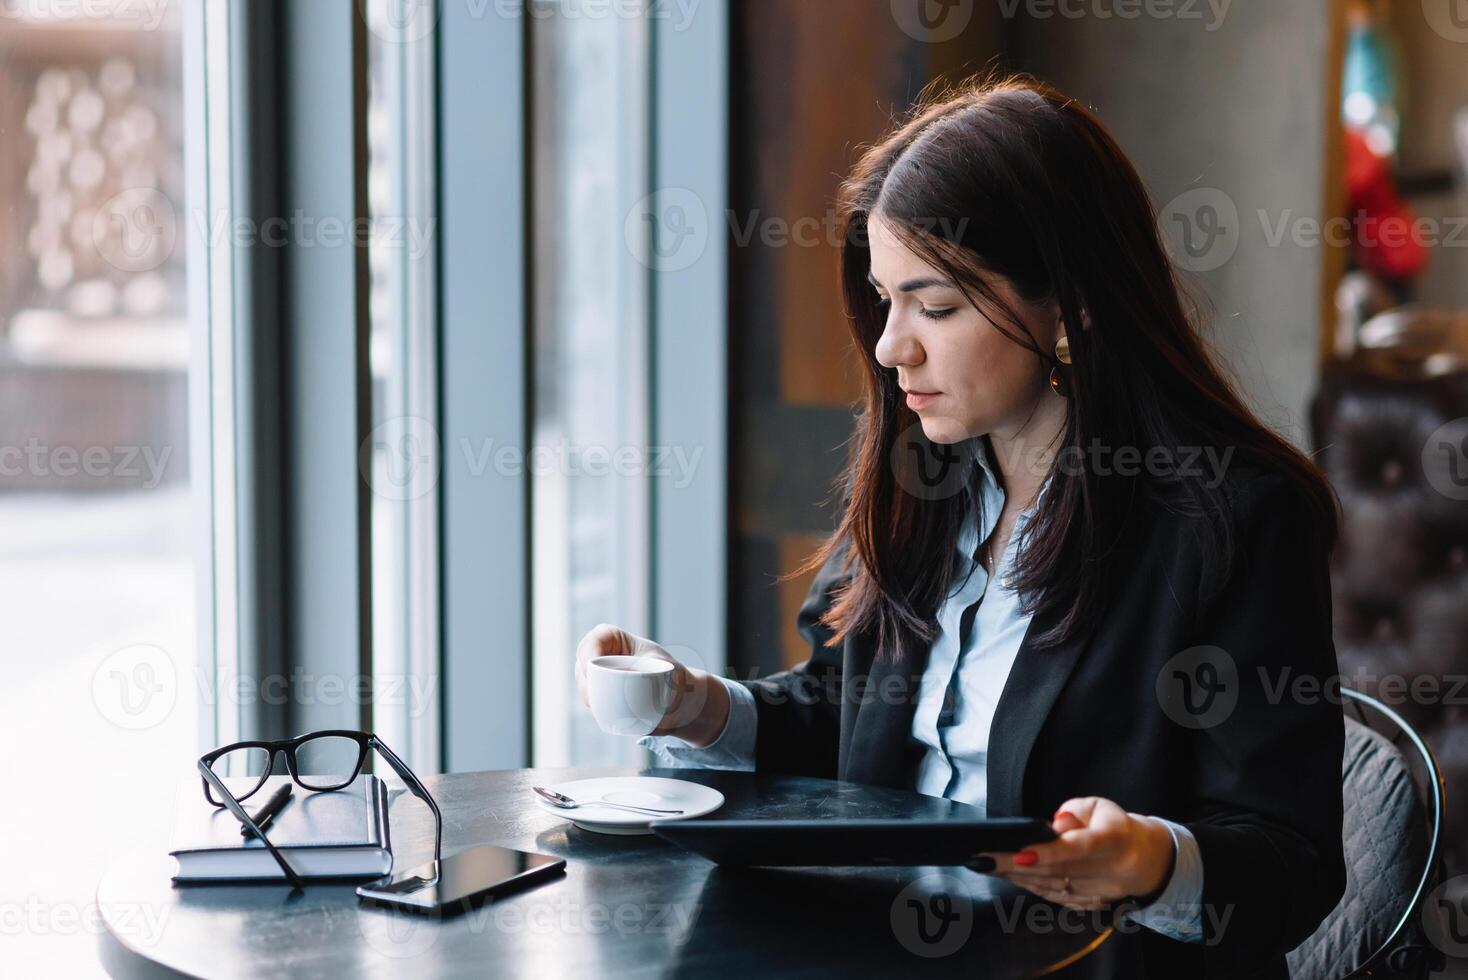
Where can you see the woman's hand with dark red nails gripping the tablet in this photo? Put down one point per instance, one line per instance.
(1102, 855)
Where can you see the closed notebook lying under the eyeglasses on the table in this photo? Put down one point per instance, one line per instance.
(338, 834)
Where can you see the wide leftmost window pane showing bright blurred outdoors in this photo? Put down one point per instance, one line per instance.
(96, 541)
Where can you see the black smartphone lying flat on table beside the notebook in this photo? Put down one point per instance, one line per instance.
(463, 878)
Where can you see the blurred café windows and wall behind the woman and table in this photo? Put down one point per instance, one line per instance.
(359, 357)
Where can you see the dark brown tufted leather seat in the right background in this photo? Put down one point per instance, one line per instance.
(1400, 574)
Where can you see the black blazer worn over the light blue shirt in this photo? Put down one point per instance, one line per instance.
(1257, 784)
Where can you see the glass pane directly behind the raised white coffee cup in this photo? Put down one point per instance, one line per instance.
(589, 494)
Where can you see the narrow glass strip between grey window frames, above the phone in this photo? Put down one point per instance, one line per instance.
(401, 460)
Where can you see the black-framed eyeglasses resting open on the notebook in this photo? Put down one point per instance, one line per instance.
(318, 762)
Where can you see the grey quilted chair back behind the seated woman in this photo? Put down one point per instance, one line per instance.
(1387, 840)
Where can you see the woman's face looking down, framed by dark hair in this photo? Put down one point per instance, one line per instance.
(980, 382)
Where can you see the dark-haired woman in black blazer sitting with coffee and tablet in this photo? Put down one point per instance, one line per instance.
(1042, 414)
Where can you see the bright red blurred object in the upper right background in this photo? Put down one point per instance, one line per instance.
(1385, 237)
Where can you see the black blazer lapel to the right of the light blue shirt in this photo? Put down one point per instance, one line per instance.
(1030, 692)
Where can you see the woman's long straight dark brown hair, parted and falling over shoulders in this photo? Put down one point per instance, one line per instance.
(1003, 175)
